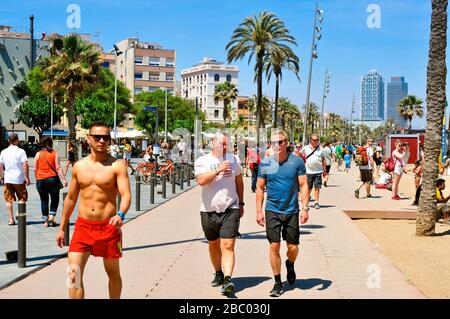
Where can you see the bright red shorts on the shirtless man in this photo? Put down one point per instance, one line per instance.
(97, 237)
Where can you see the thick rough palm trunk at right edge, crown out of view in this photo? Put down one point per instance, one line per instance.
(436, 88)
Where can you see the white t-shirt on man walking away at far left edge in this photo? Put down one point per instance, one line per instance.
(13, 158)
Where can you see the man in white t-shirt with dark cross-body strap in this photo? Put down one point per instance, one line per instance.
(315, 167)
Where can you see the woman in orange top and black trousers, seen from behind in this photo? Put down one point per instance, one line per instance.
(48, 173)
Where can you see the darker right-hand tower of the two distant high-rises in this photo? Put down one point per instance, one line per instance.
(397, 89)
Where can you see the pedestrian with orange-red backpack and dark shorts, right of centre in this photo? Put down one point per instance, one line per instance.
(364, 158)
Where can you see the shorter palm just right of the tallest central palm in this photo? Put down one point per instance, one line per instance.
(274, 64)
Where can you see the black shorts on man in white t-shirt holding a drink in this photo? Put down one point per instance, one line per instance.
(220, 225)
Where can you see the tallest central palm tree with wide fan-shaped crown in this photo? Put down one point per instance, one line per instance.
(258, 35)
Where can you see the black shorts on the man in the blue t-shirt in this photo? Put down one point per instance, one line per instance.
(286, 225)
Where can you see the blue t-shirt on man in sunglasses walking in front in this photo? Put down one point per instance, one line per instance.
(282, 183)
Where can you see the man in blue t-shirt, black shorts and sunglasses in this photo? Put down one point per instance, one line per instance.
(284, 174)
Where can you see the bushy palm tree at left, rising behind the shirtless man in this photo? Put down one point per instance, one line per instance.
(72, 68)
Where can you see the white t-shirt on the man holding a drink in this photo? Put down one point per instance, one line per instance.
(221, 193)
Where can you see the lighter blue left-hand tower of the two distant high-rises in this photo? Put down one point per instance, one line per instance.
(372, 97)
